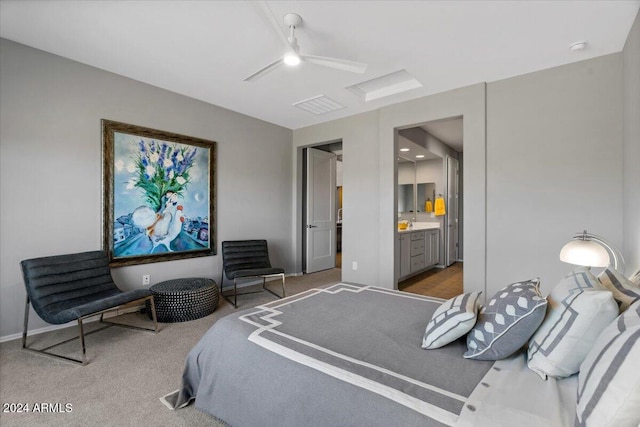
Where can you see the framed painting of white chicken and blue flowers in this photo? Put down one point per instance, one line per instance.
(159, 195)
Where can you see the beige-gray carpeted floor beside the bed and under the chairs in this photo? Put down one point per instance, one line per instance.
(128, 371)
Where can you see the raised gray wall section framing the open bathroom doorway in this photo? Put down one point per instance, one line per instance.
(469, 103)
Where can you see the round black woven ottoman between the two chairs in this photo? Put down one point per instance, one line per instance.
(180, 300)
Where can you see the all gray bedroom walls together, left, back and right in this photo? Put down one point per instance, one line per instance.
(544, 157)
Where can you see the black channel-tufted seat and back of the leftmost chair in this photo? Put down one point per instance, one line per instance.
(56, 284)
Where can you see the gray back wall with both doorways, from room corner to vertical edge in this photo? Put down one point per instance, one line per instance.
(370, 180)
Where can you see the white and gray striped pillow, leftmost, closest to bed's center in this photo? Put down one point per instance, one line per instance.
(453, 319)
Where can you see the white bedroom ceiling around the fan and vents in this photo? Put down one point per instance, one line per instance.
(204, 49)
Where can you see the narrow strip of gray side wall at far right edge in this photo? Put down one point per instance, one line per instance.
(631, 97)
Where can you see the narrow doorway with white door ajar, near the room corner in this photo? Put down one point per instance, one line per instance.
(321, 211)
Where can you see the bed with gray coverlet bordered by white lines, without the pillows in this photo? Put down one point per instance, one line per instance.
(350, 355)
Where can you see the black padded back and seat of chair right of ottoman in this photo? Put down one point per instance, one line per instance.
(245, 255)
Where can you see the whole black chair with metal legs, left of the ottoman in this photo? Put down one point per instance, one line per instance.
(74, 287)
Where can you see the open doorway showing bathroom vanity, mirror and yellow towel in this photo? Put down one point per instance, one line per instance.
(436, 149)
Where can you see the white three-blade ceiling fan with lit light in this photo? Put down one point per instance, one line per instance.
(292, 56)
